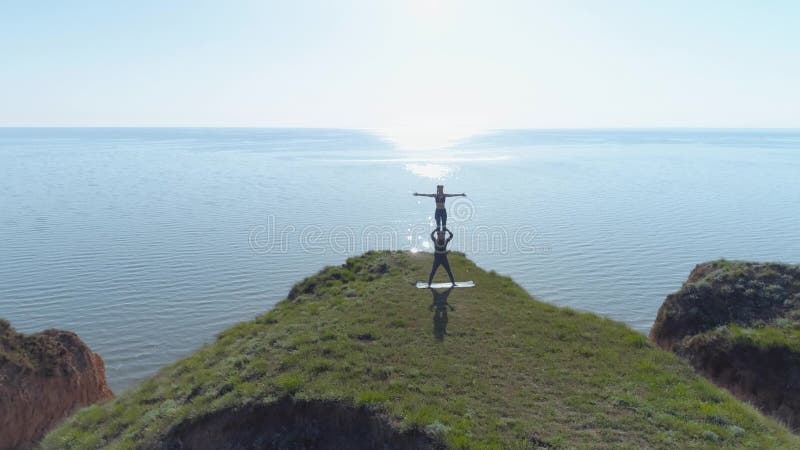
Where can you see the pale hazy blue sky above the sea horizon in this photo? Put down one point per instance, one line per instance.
(398, 64)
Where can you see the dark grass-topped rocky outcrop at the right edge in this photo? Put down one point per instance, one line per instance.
(738, 323)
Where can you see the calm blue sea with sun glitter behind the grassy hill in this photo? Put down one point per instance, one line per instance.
(147, 242)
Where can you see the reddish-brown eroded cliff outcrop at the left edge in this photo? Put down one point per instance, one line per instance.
(44, 377)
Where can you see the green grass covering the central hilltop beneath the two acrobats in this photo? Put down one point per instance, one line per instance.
(505, 368)
